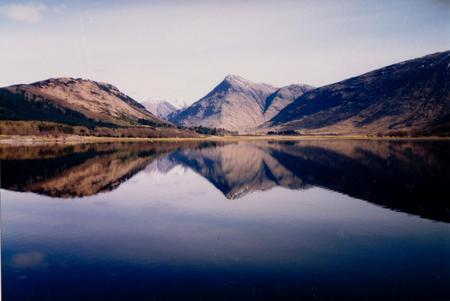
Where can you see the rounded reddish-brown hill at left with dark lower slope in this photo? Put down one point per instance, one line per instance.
(75, 102)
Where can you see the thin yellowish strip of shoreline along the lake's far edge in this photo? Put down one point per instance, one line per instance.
(32, 140)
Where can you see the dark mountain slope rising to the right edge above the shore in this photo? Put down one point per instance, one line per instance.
(408, 98)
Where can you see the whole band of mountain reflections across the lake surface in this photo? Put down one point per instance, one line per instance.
(412, 177)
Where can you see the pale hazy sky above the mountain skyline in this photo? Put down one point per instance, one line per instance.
(179, 50)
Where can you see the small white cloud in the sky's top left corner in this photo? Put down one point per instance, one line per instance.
(26, 12)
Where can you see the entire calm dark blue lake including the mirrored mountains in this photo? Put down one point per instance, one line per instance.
(227, 221)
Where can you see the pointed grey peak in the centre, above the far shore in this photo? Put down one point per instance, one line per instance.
(237, 104)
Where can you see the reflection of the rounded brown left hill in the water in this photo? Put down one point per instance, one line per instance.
(76, 171)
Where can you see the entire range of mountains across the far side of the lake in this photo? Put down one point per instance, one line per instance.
(408, 98)
